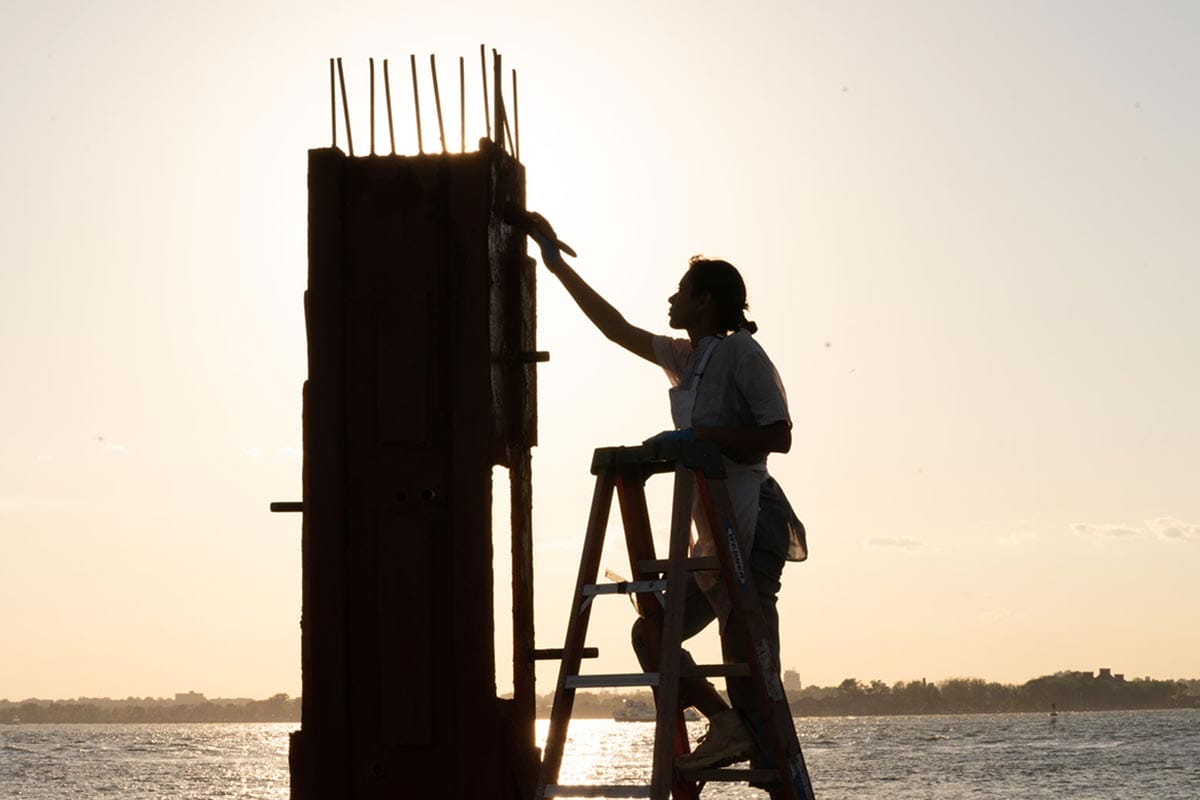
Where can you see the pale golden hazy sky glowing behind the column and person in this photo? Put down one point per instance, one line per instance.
(969, 231)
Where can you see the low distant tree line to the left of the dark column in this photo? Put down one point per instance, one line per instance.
(278, 708)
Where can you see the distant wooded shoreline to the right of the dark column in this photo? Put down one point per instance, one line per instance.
(1067, 691)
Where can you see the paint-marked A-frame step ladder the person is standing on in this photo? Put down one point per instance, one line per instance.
(626, 471)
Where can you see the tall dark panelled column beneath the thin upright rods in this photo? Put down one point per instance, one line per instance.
(421, 322)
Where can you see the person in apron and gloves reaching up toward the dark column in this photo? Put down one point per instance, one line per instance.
(725, 390)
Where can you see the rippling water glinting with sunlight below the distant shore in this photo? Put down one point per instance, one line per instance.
(1082, 756)
